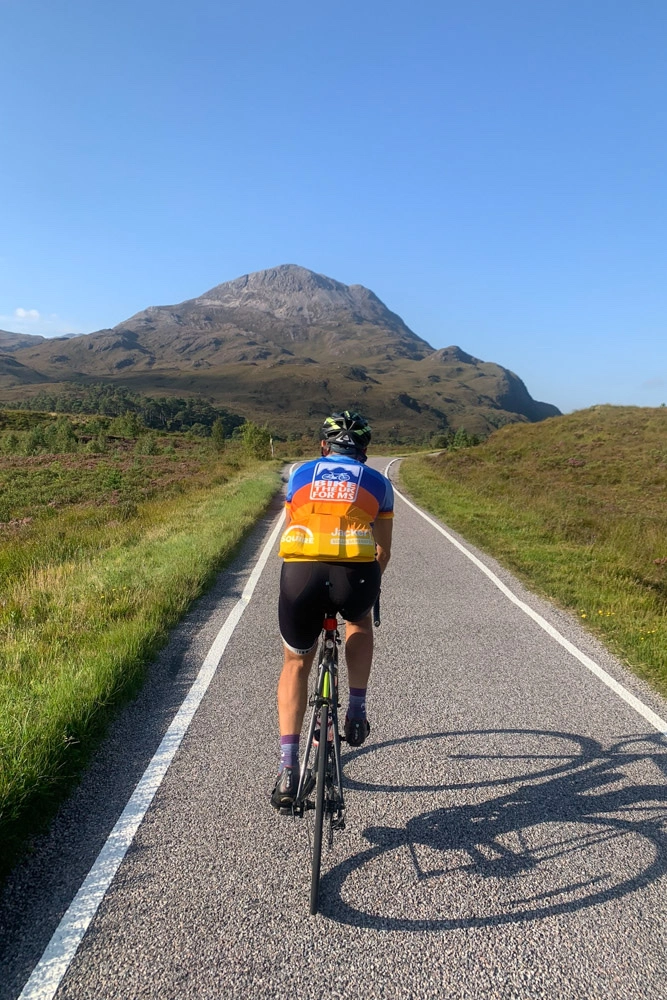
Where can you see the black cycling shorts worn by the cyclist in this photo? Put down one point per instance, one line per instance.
(309, 589)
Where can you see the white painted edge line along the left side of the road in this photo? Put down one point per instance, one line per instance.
(60, 951)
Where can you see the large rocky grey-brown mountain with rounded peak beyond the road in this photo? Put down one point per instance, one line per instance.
(287, 346)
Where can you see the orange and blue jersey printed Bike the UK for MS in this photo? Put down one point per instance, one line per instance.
(332, 504)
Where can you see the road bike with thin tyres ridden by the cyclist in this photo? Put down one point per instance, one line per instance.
(321, 778)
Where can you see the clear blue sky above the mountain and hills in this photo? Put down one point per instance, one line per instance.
(494, 170)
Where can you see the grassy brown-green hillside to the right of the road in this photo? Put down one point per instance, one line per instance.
(577, 507)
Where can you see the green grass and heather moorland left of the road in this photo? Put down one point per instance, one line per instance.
(108, 532)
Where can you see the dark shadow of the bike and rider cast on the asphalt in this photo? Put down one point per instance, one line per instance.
(559, 836)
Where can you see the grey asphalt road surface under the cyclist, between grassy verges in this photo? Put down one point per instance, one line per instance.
(507, 820)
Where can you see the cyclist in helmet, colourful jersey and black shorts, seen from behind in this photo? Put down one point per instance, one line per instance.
(336, 545)
